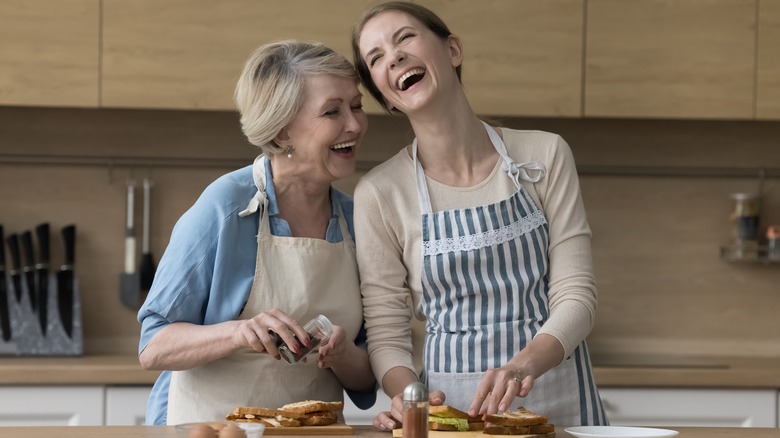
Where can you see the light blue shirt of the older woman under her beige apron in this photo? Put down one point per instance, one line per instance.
(206, 273)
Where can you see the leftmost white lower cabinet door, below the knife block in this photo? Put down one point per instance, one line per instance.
(51, 406)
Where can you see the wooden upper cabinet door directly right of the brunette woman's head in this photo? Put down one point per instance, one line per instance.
(522, 58)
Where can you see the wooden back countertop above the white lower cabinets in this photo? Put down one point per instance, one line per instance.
(610, 371)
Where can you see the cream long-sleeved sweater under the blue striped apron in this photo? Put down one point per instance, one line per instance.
(388, 236)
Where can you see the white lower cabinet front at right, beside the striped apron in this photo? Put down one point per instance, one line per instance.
(691, 407)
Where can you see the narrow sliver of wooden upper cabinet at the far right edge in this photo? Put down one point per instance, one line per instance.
(768, 96)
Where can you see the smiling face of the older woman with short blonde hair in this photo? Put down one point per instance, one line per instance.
(326, 131)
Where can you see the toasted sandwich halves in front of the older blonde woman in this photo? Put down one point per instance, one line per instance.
(305, 413)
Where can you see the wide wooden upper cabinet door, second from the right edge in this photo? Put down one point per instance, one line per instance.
(670, 58)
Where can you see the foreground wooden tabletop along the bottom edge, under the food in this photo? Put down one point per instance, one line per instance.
(360, 432)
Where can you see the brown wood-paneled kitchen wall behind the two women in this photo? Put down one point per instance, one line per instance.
(662, 285)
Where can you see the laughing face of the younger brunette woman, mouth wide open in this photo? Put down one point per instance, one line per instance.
(407, 62)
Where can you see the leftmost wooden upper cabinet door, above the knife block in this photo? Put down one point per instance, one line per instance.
(49, 52)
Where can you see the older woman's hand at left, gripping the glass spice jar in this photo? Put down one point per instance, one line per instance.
(255, 333)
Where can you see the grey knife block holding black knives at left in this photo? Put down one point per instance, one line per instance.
(27, 338)
